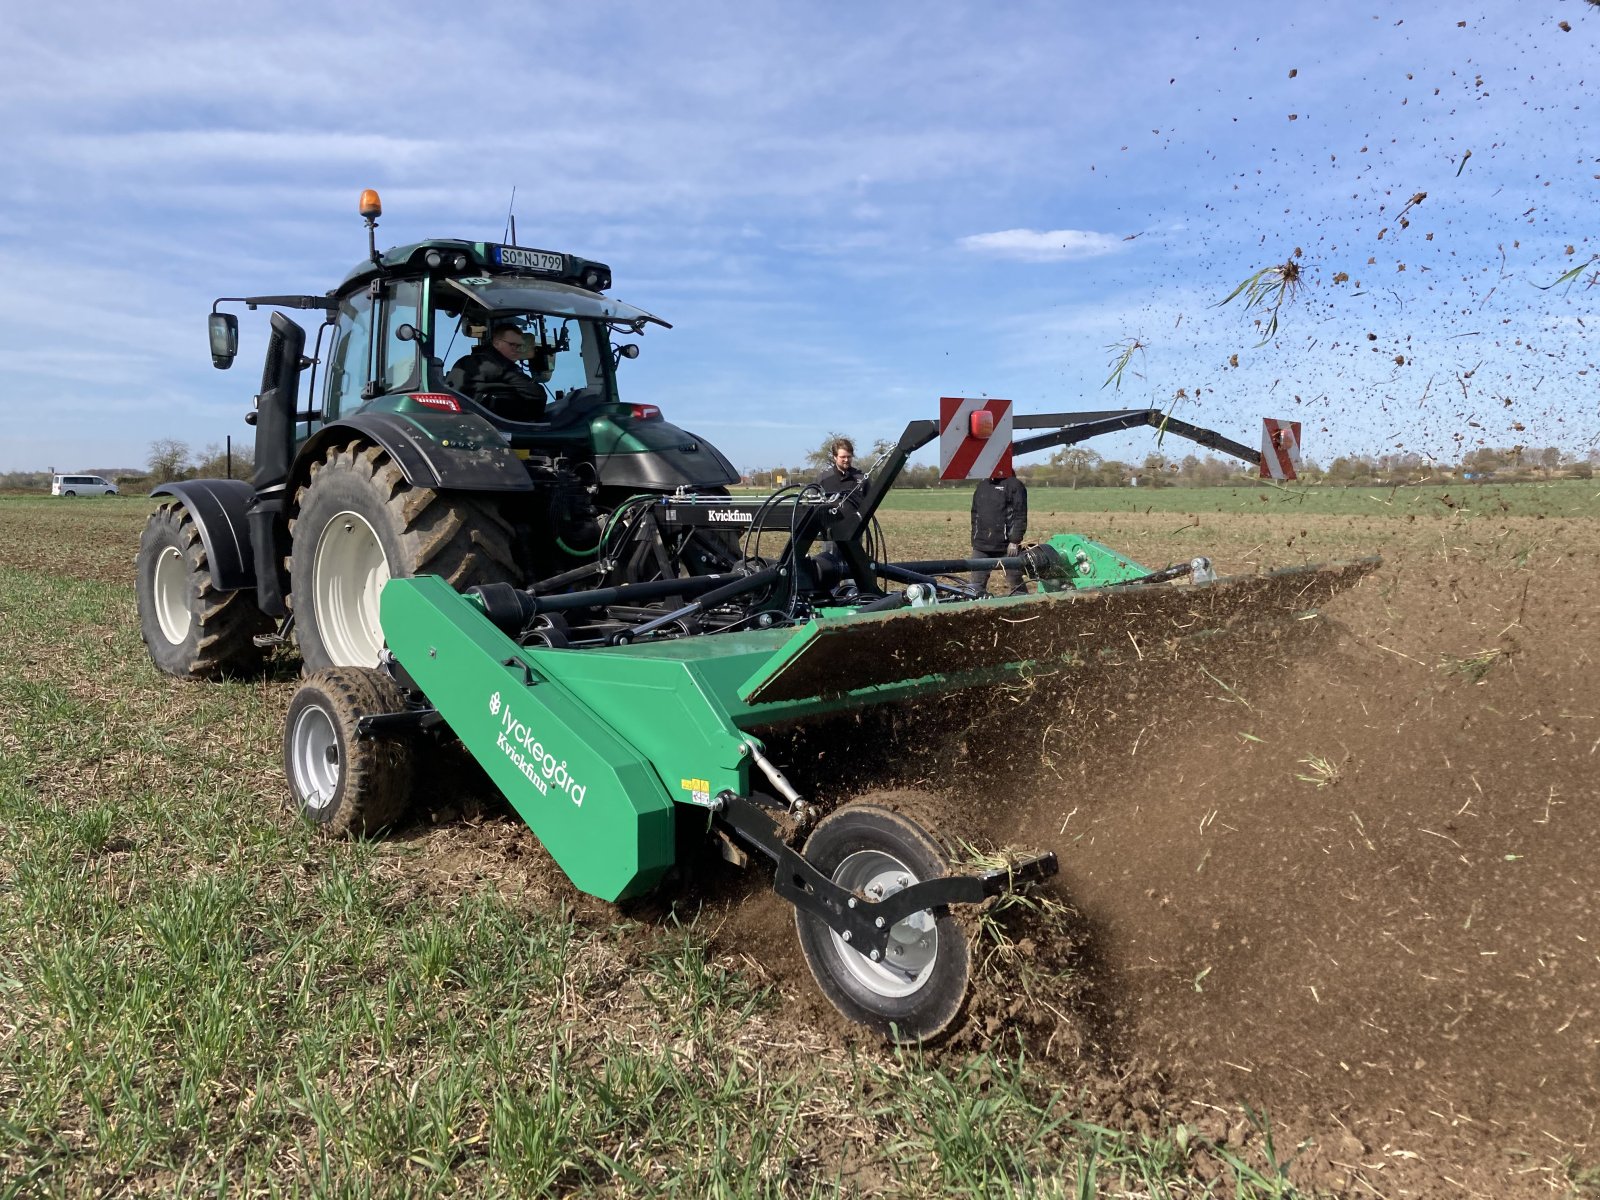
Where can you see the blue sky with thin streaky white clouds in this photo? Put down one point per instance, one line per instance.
(846, 210)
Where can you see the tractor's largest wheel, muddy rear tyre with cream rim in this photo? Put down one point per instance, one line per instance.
(358, 526)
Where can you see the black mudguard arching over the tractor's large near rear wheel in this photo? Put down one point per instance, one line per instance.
(455, 452)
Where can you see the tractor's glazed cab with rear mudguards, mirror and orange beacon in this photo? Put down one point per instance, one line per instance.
(404, 319)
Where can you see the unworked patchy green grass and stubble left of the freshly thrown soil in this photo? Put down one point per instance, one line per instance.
(201, 998)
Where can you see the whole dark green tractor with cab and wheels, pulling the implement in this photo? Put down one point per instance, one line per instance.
(374, 463)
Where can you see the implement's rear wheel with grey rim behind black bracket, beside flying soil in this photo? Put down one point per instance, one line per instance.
(921, 988)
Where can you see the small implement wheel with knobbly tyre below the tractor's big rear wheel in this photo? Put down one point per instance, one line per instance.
(343, 783)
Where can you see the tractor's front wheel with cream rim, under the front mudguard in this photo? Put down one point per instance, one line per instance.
(193, 630)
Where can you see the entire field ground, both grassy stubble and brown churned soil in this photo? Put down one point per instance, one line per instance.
(1327, 919)
